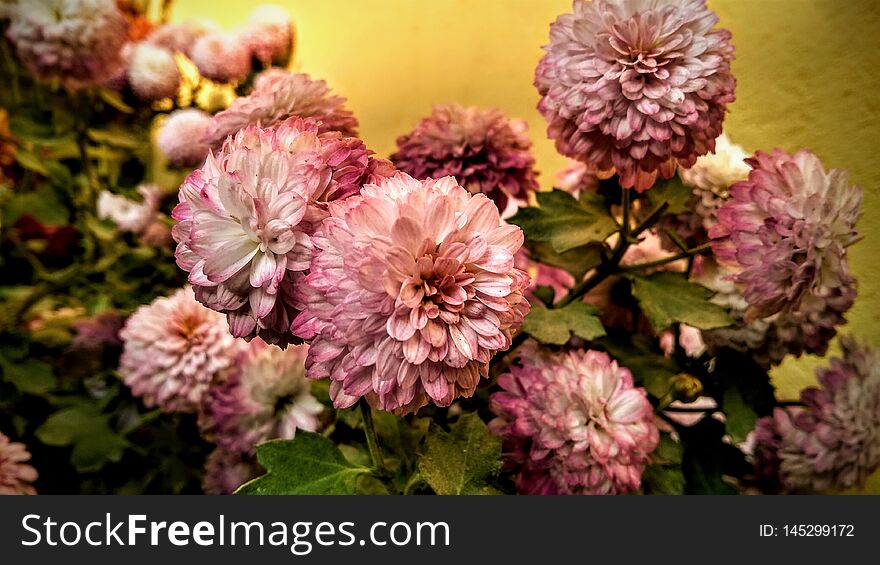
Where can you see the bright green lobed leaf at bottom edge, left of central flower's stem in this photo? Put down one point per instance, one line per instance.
(307, 464)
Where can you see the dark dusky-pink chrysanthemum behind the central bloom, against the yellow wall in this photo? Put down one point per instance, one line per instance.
(482, 148)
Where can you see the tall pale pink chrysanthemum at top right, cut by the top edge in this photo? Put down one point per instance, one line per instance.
(636, 85)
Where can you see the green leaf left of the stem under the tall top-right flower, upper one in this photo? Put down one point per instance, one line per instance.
(564, 222)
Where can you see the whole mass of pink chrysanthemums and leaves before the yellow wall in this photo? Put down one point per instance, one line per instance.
(211, 284)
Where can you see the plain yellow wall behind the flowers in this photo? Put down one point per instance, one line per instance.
(806, 70)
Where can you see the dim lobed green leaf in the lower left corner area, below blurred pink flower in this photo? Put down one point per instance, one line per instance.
(94, 441)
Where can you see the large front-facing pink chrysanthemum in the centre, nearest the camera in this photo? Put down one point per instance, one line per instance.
(412, 289)
